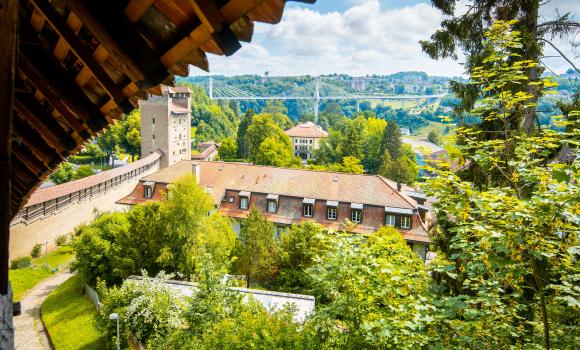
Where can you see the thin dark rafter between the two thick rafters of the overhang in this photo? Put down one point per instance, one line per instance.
(84, 54)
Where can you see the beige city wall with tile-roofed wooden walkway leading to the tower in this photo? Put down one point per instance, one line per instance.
(58, 210)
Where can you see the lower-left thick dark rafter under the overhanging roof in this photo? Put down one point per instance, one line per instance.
(58, 87)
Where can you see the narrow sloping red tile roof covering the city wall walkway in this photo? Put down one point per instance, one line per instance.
(49, 193)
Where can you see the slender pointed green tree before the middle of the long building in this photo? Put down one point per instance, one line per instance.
(256, 250)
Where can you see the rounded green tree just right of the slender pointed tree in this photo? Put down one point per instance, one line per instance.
(300, 245)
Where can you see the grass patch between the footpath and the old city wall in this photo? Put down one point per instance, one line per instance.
(24, 279)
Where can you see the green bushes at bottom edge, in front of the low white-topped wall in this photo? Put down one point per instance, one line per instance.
(219, 318)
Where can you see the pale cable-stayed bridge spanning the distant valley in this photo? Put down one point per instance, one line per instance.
(315, 89)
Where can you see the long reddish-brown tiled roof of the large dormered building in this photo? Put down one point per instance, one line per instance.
(352, 188)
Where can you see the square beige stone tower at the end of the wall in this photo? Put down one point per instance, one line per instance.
(166, 123)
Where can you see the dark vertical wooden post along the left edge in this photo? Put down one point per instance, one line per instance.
(8, 45)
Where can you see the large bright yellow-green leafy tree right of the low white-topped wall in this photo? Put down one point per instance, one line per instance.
(371, 294)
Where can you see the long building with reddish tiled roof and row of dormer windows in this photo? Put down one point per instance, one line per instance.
(339, 202)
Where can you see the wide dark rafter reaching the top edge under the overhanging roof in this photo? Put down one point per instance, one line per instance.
(107, 22)
